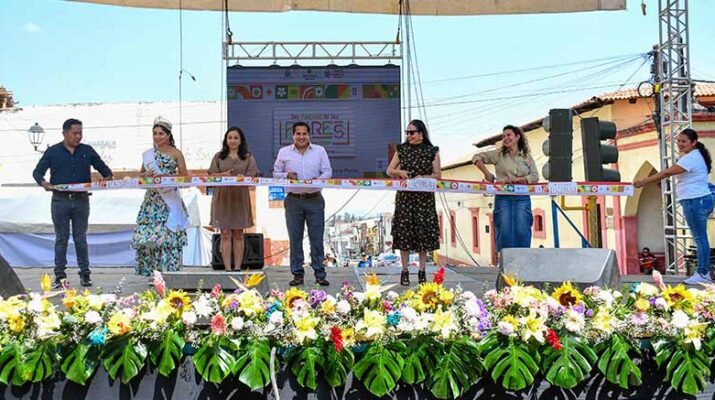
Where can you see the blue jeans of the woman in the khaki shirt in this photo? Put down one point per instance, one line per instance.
(512, 221)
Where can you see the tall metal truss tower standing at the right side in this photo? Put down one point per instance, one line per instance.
(675, 96)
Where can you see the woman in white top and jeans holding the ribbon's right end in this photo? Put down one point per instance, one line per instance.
(694, 194)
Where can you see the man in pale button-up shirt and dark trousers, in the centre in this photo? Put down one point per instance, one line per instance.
(304, 160)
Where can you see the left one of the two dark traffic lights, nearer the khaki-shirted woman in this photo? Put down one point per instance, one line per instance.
(558, 147)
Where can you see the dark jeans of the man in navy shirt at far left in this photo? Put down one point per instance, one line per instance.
(70, 209)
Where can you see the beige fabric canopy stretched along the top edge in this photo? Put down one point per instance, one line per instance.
(417, 7)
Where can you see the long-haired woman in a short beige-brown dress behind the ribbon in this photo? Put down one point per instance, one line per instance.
(231, 206)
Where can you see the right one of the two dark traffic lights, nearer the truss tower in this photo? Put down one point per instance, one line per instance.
(596, 154)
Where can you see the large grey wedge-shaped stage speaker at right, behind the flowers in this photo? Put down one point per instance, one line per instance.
(582, 267)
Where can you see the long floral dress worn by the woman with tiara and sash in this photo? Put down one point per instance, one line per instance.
(157, 246)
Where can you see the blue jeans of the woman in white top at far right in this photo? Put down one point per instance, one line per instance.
(696, 213)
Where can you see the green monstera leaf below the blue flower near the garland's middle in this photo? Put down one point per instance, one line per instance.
(380, 368)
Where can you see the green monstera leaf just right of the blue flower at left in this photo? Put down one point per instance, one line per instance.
(126, 355)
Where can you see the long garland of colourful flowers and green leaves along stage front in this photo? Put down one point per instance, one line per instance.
(444, 339)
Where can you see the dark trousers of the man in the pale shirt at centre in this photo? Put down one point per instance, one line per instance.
(299, 212)
